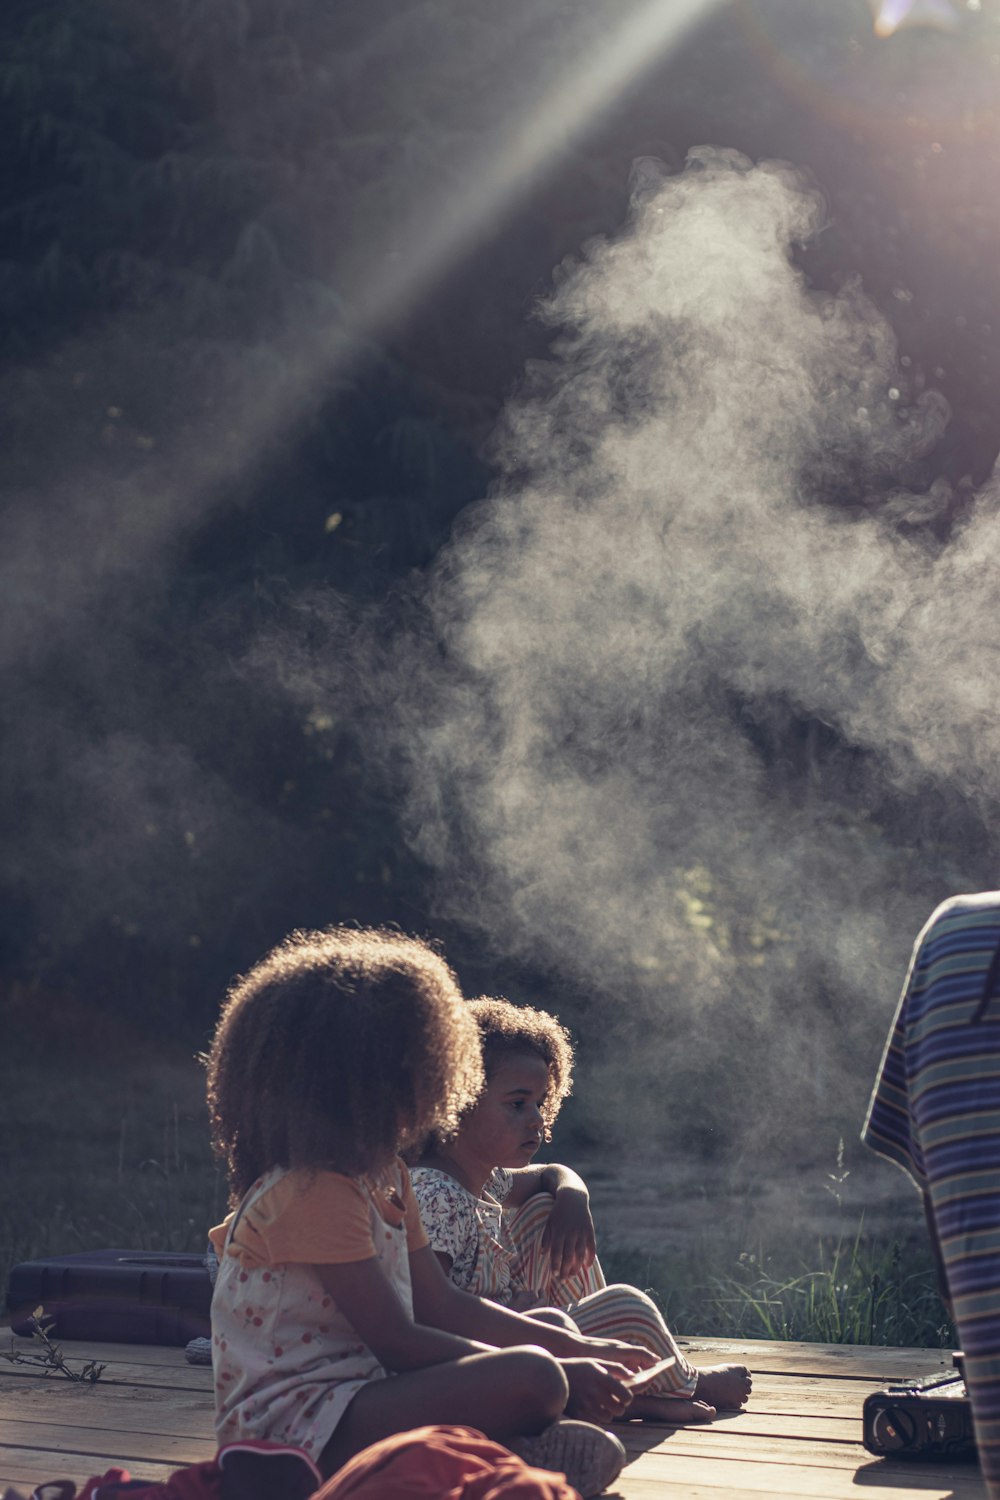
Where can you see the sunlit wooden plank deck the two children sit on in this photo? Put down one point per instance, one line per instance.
(801, 1435)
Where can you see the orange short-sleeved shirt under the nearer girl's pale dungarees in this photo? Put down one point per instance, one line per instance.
(317, 1219)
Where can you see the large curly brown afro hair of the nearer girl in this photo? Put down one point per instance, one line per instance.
(335, 1052)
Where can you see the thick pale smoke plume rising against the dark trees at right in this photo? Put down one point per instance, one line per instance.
(701, 719)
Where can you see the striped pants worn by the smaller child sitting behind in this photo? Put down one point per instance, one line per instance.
(600, 1312)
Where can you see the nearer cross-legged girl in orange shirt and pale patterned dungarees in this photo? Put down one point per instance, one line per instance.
(335, 1052)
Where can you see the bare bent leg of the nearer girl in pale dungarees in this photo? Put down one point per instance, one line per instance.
(512, 1393)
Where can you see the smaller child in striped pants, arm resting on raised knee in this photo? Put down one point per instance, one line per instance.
(522, 1235)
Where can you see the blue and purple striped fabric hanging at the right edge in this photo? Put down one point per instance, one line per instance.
(936, 1114)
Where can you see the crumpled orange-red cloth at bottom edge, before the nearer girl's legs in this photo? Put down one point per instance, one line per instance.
(443, 1463)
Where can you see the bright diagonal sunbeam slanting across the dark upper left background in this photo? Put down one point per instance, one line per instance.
(190, 481)
